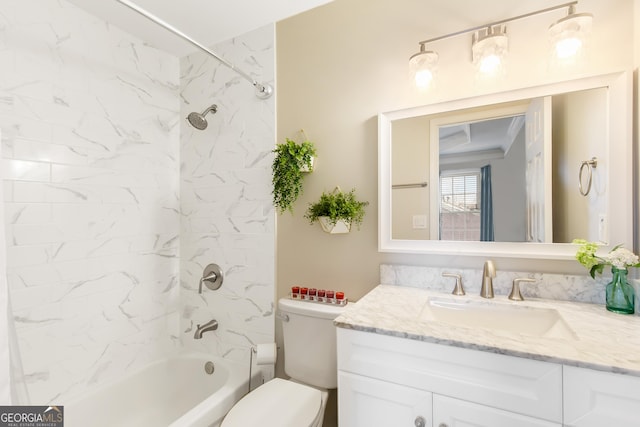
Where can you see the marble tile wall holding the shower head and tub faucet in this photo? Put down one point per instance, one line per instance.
(227, 215)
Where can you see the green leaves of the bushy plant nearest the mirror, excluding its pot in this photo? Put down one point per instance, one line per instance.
(337, 206)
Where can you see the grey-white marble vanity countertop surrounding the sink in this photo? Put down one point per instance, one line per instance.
(602, 340)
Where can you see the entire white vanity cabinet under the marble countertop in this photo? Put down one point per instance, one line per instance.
(390, 381)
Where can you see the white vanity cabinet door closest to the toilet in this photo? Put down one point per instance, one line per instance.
(366, 402)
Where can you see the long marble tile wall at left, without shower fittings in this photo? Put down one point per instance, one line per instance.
(90, 145)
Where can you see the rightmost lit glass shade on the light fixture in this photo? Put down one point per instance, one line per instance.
(568, 36)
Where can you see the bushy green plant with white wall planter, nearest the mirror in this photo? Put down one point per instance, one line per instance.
(337, 211)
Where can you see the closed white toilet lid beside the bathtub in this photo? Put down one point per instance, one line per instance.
(278, 403)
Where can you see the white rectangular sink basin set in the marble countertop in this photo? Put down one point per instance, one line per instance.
(496, 316)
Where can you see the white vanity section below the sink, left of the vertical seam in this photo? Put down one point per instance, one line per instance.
(385, 380)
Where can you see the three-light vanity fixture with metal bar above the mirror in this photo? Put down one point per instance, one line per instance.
(490, 43)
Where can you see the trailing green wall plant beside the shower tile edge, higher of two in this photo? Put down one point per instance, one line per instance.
(292, 160)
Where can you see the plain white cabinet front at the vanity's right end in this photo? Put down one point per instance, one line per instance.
(598, 399)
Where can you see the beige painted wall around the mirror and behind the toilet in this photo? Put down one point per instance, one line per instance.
(339, 65)
